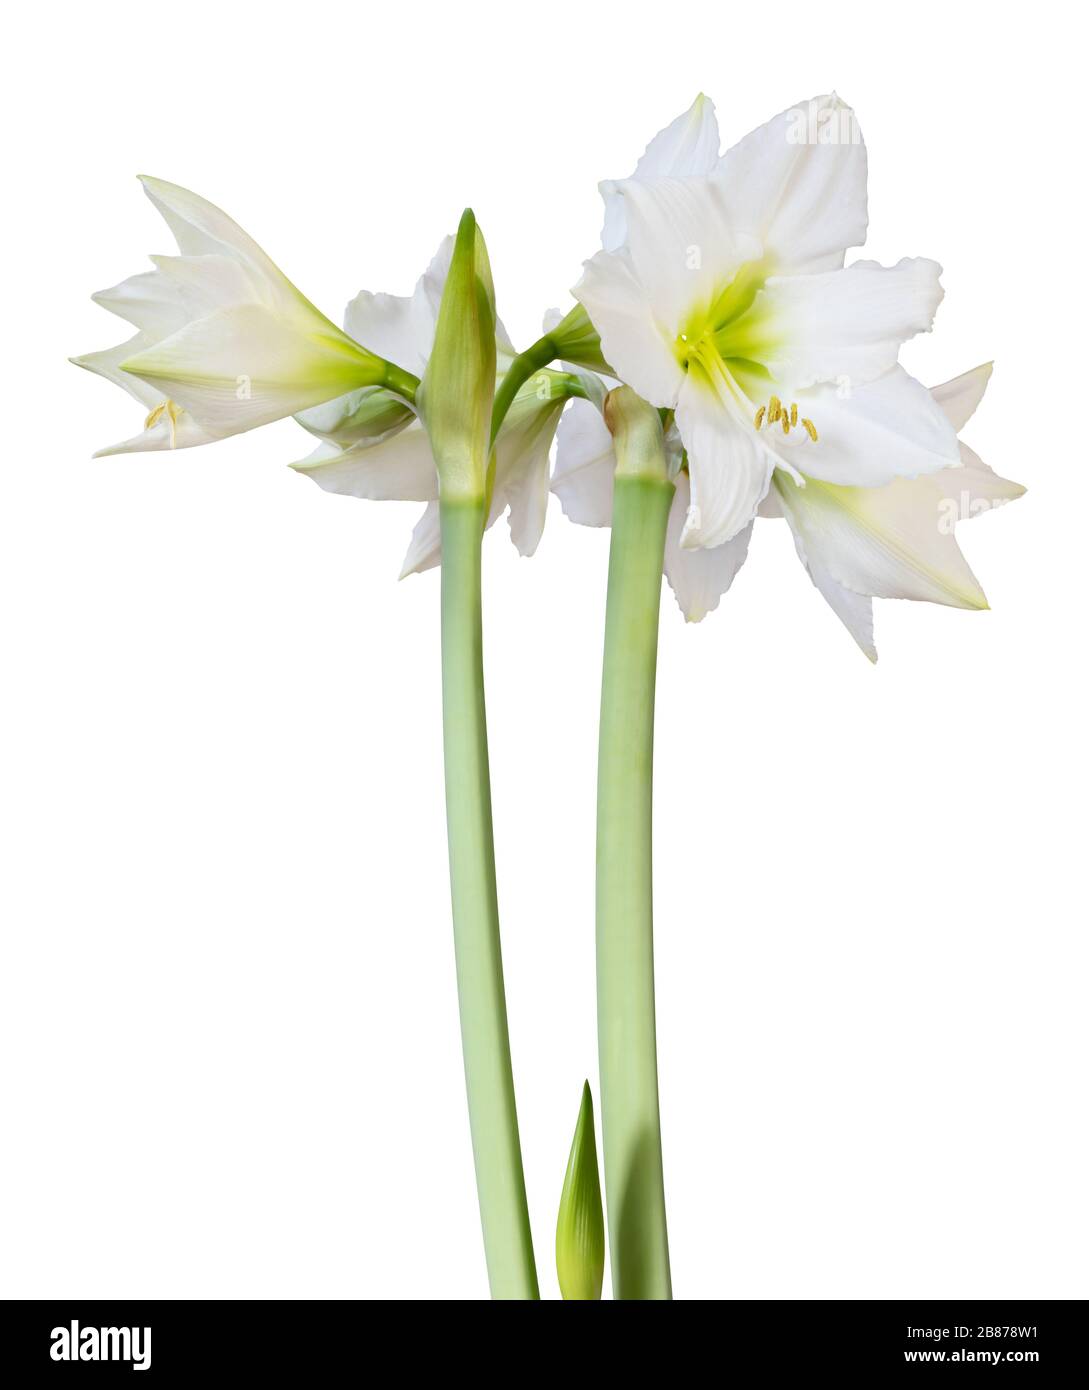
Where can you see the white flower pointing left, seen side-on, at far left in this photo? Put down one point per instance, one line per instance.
(225, 341)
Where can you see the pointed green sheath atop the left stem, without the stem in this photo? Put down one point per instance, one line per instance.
(455, 397)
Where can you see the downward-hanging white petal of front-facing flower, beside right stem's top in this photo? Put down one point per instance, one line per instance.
(729, 468)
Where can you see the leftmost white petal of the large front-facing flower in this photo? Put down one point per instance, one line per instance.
(631, 337)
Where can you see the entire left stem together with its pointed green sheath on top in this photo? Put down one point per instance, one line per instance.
(455, 402)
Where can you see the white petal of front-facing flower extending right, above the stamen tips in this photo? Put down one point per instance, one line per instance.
(844, 326)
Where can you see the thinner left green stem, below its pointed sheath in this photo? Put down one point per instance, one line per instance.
(501, 1188)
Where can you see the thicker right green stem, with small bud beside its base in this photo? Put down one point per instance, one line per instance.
(625, 931)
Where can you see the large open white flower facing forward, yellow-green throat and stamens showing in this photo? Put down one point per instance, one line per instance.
(723, 295)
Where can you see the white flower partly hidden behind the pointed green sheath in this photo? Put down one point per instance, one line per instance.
(373, 447)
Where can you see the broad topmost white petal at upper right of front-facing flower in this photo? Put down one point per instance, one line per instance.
(800, 184)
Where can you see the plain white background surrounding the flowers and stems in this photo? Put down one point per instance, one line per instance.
(227, 1013)
